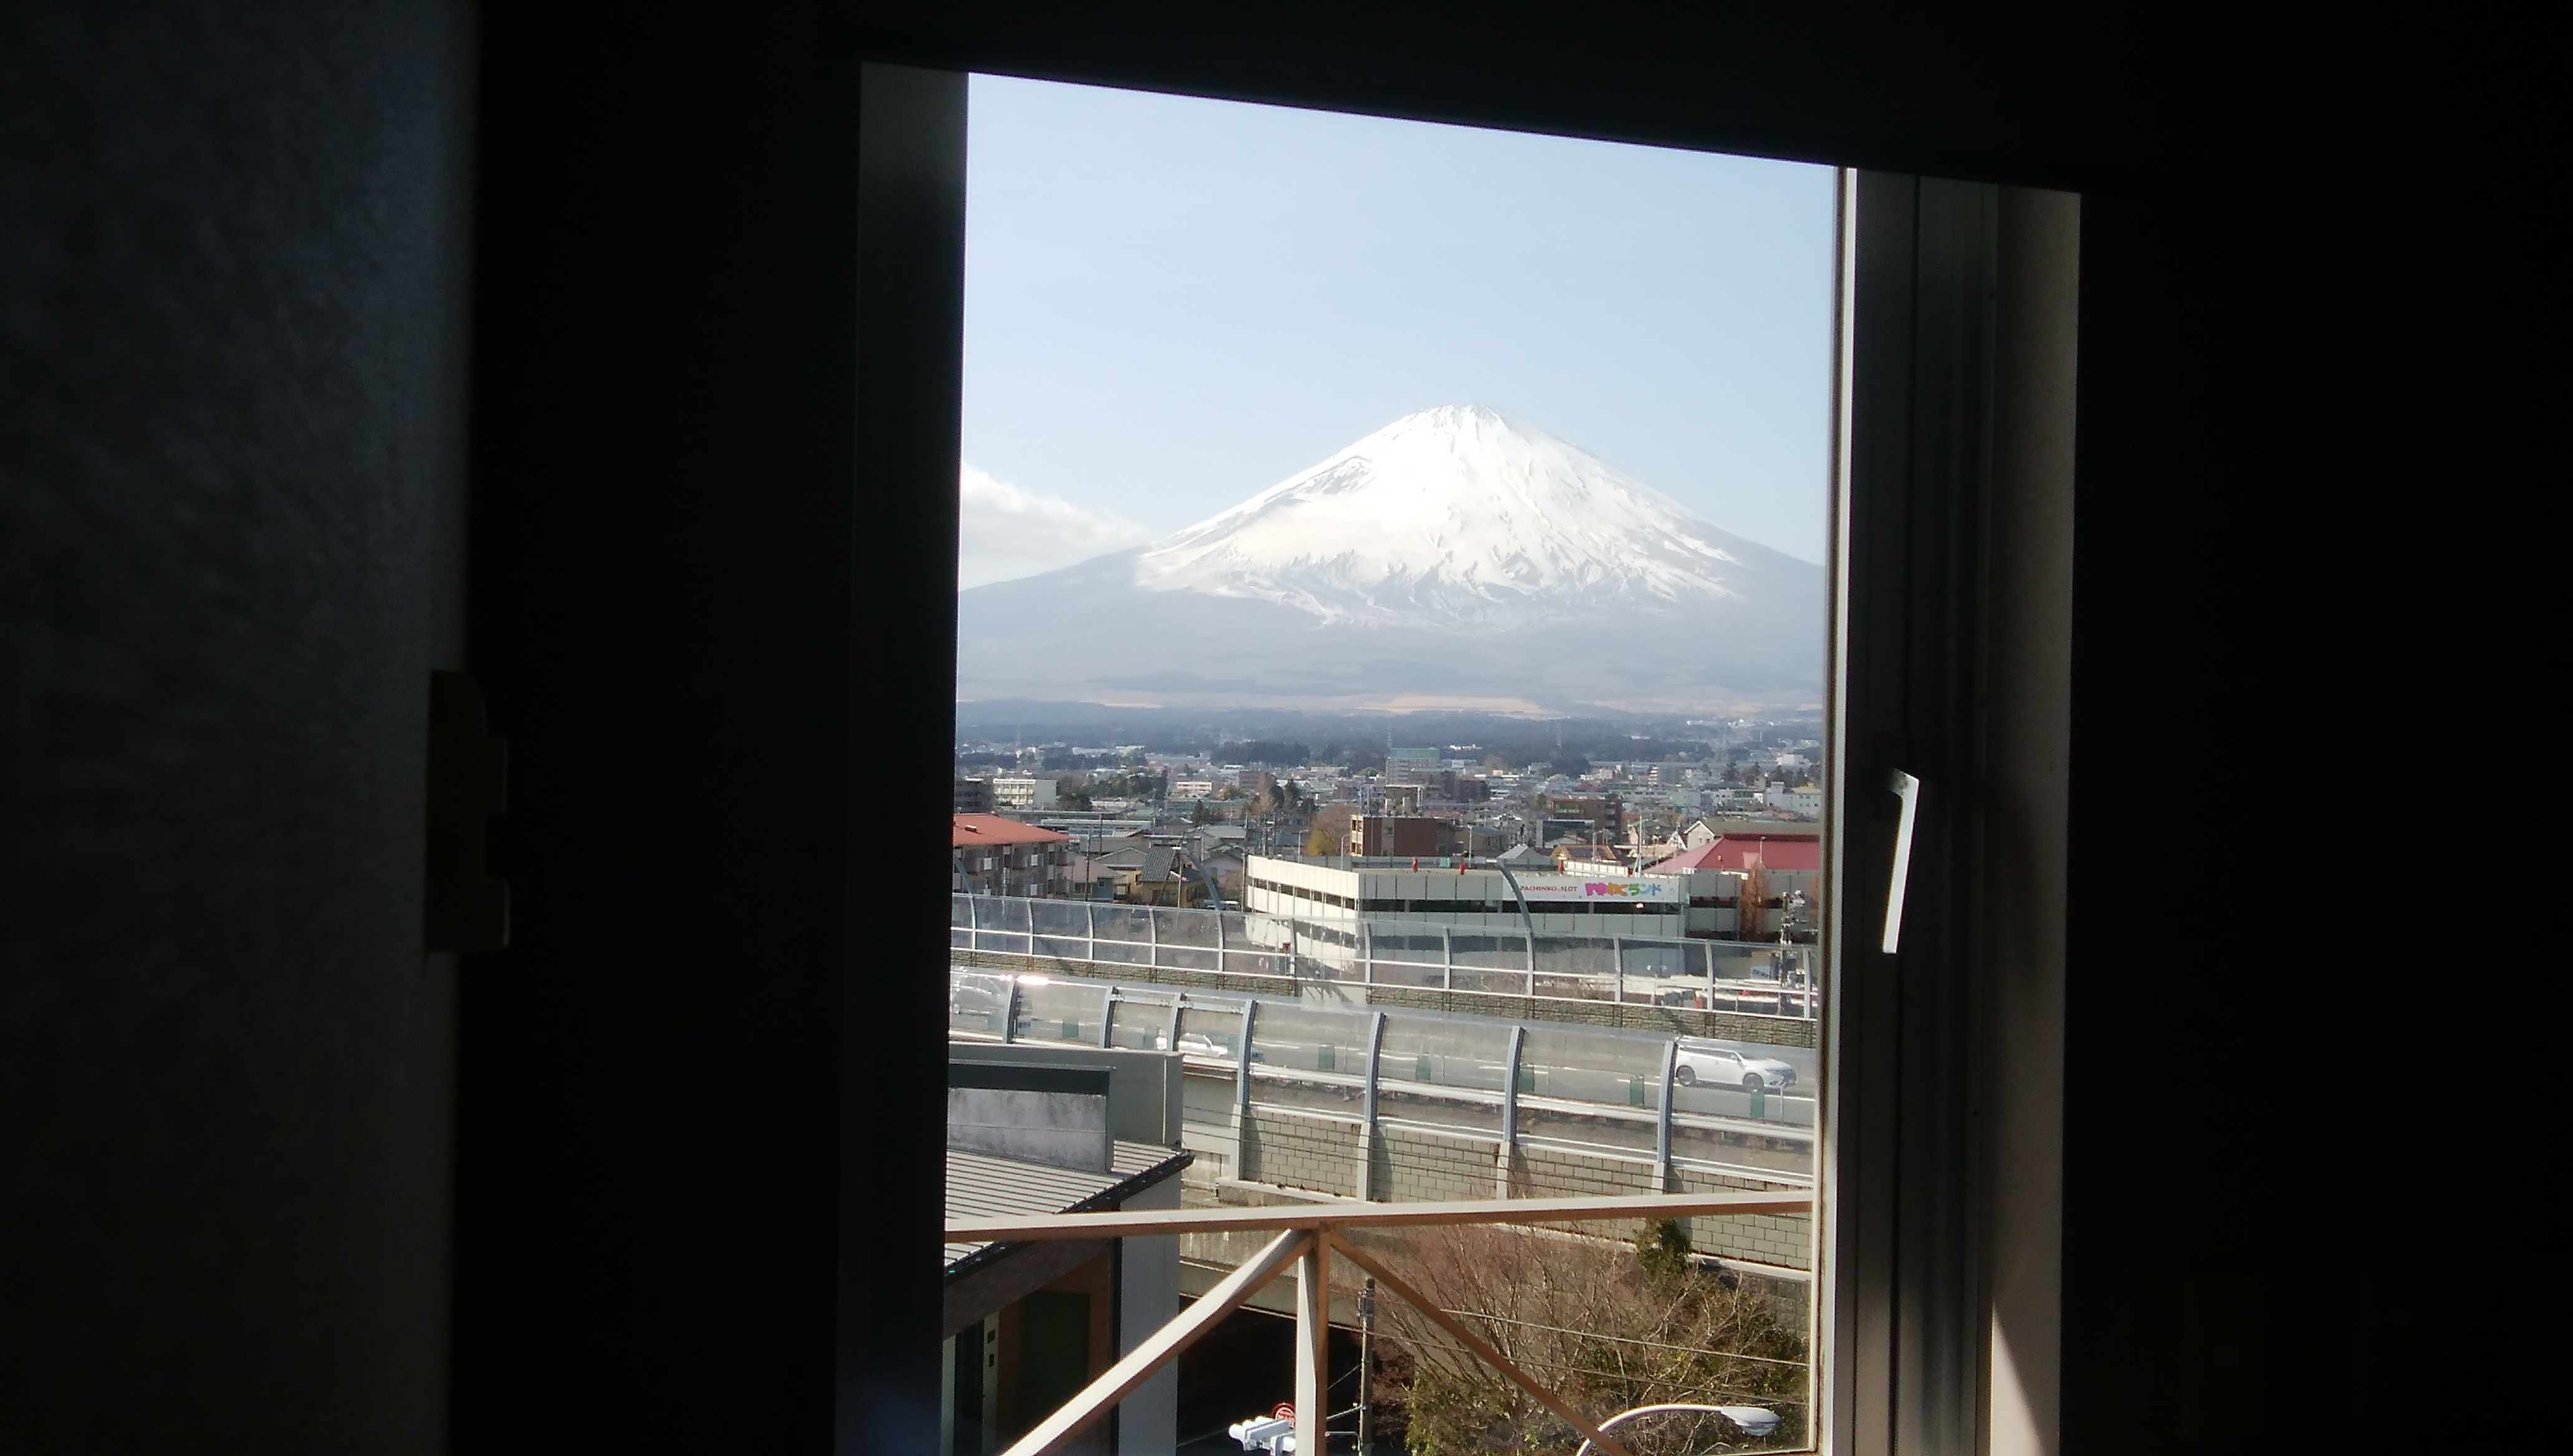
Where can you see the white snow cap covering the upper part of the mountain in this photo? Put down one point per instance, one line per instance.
(1458, 518)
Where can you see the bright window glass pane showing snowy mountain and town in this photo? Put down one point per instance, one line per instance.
(1393, 603)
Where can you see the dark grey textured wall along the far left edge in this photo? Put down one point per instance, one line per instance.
(230, 289)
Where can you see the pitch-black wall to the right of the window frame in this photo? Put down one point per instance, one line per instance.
(2299, 485)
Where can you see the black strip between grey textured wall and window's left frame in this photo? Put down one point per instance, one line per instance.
(660, 619)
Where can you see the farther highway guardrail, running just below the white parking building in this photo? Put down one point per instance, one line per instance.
(1746, 979)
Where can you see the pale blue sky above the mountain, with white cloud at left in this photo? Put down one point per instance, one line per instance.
(1172, 305)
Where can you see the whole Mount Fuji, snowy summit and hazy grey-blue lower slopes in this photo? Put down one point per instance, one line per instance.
(1452, 560)
